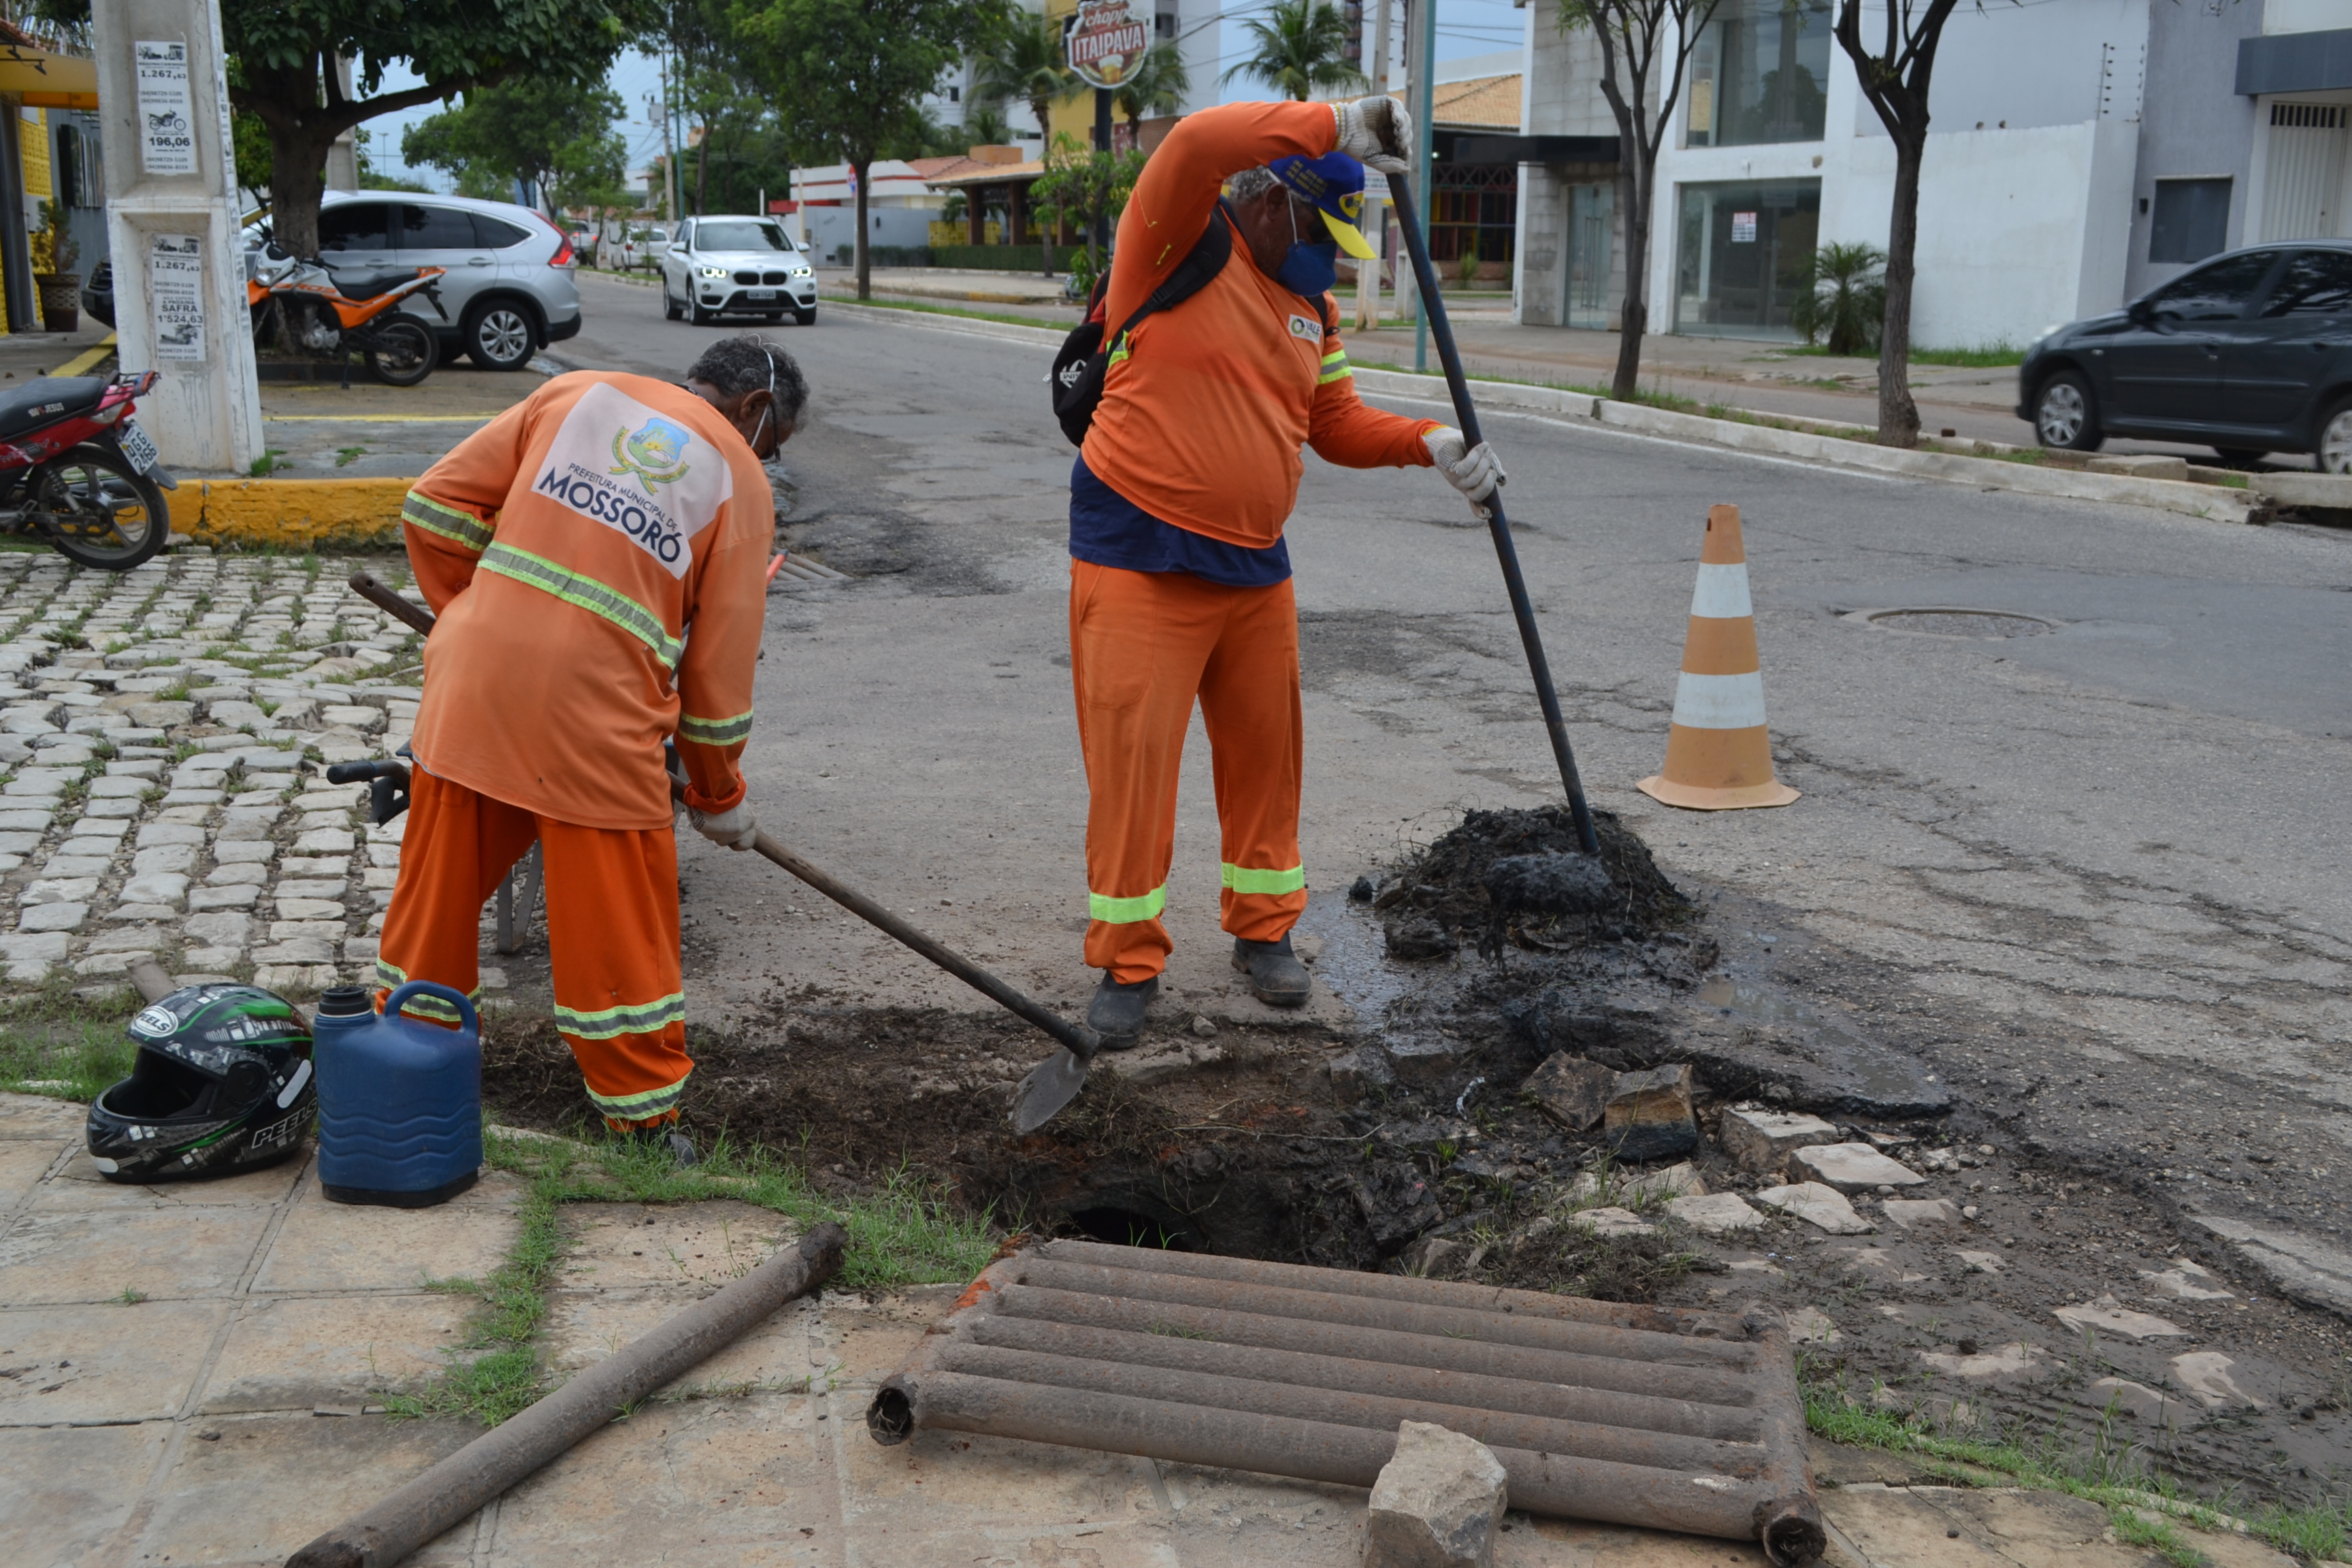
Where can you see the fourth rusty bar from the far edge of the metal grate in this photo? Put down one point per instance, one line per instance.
(1361, 1374)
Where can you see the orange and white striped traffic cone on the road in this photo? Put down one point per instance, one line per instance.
(1718, 753)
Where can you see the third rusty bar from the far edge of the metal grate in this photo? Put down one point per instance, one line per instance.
(1441, 1353)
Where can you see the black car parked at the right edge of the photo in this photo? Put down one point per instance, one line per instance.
(2252, 354)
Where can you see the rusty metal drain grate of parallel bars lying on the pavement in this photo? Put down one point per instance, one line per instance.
(1645, 1416)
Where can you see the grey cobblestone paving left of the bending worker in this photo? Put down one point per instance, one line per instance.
(166, 737)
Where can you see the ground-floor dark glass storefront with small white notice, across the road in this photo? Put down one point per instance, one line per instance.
(1744, 257)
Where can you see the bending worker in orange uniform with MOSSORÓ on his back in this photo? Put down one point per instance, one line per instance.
(596, 558)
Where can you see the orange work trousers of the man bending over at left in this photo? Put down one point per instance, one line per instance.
(613, 934)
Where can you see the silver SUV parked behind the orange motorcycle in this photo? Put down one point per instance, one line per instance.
(507, 272)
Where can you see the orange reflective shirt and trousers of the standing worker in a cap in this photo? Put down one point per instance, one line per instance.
(1203, 415)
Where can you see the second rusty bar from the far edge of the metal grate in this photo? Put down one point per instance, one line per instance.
(1372, 1313)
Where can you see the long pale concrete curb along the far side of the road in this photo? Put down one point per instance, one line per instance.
(2210, 502)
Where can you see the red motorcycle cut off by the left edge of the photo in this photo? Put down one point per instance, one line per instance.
(79, 476)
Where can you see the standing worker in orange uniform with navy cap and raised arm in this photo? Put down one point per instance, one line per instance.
(1180, 579)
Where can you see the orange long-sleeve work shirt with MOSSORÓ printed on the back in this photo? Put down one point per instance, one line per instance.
(596, 558)
